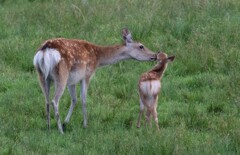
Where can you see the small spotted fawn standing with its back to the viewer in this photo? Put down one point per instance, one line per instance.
(149, 87)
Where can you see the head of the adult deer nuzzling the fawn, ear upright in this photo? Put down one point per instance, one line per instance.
(136, 50)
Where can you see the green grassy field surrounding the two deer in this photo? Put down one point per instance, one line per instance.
(199, 106)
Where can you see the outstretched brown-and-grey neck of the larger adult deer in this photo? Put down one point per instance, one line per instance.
(111, 54)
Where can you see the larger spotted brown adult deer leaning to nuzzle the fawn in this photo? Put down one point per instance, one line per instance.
(66, 62)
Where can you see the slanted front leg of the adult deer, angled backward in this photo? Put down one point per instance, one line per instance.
(72, 91)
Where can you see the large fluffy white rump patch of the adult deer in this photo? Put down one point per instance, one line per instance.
(46, 60)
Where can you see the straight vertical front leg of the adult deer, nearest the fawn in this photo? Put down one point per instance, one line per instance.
(84, 88)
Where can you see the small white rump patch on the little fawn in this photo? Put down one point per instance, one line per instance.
(150, 88)
